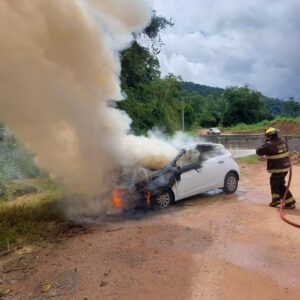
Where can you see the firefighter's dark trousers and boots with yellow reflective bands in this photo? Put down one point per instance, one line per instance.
(278, 188)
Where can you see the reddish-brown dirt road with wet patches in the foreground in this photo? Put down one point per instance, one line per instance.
(210, 247)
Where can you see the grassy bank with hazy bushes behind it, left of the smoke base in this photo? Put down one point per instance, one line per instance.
(28, 197)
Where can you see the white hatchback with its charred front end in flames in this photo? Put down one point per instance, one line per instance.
(195, 170)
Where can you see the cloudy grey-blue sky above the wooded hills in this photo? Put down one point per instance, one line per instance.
(234, 42)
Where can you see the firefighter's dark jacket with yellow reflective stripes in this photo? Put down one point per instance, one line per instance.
(276, 151)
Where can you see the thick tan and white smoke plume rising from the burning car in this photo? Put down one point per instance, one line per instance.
(59, 69)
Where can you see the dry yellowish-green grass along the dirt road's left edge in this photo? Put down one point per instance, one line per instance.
(31, 217)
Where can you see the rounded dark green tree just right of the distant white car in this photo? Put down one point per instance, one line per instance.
(242, 106)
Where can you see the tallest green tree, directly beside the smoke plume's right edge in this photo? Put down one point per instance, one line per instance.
(148, 95)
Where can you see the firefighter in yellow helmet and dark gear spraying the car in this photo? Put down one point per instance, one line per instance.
(278, 164)
